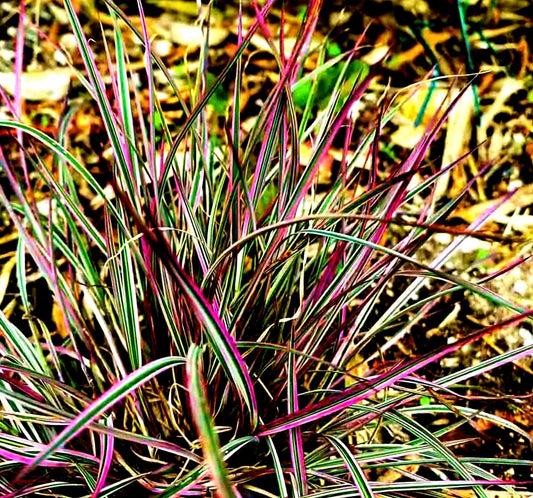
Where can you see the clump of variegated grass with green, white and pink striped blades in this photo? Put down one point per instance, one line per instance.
(222, 325)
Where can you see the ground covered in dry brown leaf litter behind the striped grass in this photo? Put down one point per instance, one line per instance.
(405, 41)
